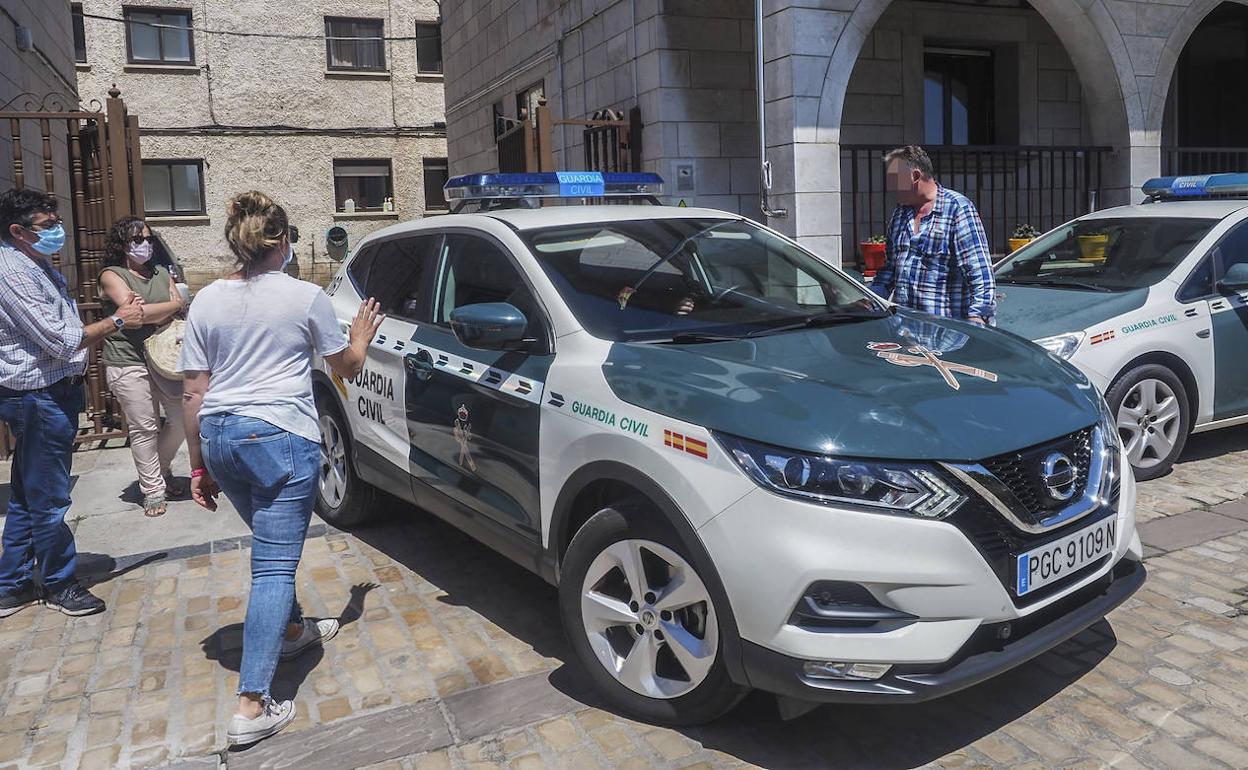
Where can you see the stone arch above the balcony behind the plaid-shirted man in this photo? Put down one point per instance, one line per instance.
(1091, 39)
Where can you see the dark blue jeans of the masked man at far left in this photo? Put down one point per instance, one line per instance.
(44, 424)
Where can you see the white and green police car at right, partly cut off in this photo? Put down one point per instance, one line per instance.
(1151, 303)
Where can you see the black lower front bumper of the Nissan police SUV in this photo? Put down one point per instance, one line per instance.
(979, 660)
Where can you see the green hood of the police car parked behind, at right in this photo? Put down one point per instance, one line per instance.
(1035, 311)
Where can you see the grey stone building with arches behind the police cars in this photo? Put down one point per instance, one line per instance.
(1039, 110)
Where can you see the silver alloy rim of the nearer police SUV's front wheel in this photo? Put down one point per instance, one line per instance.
(650, 618)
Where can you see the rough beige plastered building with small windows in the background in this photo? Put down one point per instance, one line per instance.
(334, 109)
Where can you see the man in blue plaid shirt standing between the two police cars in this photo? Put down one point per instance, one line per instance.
(938, 255)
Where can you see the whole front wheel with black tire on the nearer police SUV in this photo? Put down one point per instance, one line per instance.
(681, 677)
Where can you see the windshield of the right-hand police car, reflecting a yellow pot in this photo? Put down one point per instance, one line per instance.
(1106, 254)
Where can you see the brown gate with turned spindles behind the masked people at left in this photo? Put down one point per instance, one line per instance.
(100, 148)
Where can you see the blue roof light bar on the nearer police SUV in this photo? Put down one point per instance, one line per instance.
(515, 190)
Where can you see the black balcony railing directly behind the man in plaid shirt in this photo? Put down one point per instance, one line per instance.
(1010, 185)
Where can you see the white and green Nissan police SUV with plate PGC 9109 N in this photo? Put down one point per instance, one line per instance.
(741, 467)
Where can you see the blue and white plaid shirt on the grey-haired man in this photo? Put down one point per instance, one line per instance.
(945, 269)
